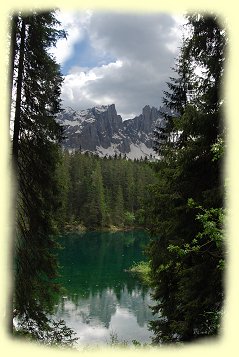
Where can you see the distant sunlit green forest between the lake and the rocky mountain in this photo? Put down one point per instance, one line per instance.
(100, 193)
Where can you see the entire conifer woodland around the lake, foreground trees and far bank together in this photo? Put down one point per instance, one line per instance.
(179, 198)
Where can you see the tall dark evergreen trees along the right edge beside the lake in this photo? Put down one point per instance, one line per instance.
(185, 260)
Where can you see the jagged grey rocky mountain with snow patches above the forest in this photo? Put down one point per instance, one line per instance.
(101, 130)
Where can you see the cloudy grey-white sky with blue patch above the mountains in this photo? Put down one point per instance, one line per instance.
(117, 58)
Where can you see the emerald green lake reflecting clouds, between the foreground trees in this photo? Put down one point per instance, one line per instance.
(101, 298)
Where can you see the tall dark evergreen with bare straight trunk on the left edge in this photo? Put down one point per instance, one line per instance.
(35, 81)
